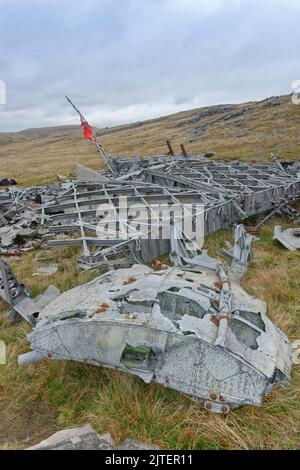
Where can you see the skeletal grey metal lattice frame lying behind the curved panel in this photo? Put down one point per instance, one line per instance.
(229, 193)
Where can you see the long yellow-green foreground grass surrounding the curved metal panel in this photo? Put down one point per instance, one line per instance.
(42, 398)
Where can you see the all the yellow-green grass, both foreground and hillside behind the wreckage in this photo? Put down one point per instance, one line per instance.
(42, 398)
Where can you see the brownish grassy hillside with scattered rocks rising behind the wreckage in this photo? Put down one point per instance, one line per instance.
(253, 129)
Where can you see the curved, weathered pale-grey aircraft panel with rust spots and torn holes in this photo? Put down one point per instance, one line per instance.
(162, 326)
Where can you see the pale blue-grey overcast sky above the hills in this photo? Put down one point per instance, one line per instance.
(129, 60)
